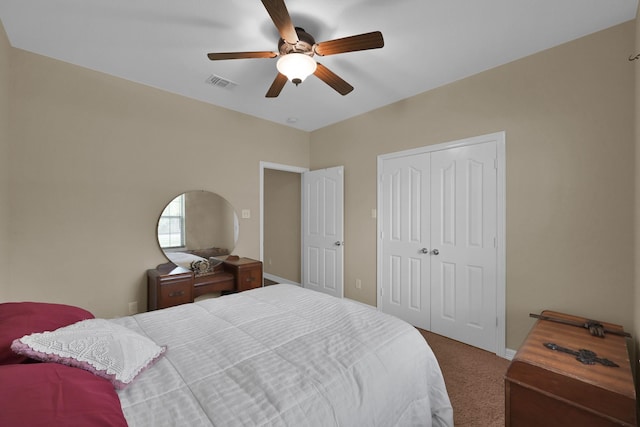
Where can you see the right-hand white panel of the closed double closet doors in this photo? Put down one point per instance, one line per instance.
(463, 244)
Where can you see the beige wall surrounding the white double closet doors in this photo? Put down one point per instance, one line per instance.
(568, 117)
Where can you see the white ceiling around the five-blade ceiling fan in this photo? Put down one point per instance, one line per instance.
(428, 43)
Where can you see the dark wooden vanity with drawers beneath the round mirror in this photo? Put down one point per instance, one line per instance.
(169, 285)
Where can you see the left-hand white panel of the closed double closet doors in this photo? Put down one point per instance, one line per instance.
(405, 236)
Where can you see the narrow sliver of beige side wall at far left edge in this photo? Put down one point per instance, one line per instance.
(5, 55)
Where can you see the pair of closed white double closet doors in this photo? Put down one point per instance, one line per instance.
(438, 213)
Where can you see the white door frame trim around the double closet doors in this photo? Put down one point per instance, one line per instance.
(500, 139)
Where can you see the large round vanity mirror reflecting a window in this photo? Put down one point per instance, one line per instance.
(197, 225)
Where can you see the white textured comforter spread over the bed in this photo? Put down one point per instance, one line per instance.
(284, 356)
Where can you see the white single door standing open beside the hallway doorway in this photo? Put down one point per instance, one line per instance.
(323, 230)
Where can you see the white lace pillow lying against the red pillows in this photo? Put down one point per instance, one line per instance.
(108, 350)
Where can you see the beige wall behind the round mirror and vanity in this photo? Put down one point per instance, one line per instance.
(94, 160)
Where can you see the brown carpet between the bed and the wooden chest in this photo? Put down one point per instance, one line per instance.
(474, 379)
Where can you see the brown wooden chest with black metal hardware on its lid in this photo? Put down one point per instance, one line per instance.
(544, 387)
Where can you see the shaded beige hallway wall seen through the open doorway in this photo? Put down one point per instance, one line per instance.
(282, 228)
